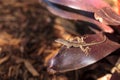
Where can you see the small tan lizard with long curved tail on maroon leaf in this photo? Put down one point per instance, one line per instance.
(79, 43)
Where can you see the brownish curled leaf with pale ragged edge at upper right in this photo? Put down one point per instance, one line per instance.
(107, 16)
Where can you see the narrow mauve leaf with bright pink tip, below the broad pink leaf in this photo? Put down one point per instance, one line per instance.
(74, 16)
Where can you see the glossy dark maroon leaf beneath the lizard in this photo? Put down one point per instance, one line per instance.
(68, 59)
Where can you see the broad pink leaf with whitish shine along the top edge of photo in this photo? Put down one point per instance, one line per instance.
(86, 5)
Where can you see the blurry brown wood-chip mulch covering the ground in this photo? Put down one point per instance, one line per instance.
(27, 34)
